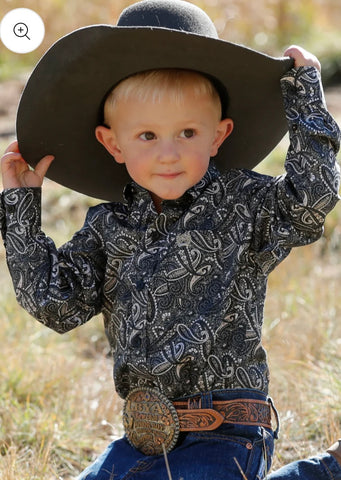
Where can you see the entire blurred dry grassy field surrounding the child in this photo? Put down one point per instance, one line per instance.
(58, 409)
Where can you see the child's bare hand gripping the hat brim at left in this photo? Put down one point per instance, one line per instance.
(17, 173)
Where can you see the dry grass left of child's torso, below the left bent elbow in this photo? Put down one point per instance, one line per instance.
(57, 404)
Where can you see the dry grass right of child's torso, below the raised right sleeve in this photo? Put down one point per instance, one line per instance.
(303, 337)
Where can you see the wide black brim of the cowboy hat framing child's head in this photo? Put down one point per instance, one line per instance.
(60, 105)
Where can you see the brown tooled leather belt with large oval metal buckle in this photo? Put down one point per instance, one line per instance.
(153, 423)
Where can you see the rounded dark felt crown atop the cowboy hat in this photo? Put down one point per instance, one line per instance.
(170, 14)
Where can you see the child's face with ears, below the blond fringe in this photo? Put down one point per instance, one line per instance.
(166, 146)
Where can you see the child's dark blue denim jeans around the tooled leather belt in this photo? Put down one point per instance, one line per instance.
(231, 452)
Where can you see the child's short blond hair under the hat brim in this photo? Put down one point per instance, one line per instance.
(153, 85)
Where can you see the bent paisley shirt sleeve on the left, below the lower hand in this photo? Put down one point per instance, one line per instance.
(60, 287)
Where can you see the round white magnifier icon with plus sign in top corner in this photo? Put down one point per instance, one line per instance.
(22, 30)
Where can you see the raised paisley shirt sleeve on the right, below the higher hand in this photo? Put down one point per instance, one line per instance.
(294, 206)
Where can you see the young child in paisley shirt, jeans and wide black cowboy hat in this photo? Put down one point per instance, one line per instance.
(179, 267)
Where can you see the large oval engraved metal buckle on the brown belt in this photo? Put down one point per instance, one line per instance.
(150, 421)
